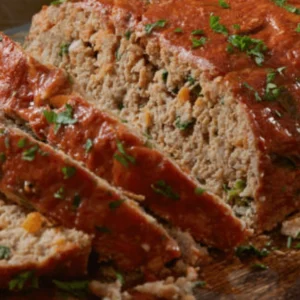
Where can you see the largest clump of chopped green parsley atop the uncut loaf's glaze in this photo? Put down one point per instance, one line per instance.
(253, 47)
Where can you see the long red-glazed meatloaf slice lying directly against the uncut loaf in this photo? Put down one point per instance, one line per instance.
(110, 149)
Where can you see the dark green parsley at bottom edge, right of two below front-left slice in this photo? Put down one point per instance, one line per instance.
(77, 289)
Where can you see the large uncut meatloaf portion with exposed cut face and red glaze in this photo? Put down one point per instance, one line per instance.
(214, 83)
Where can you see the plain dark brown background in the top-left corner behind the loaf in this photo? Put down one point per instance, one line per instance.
(14, 13)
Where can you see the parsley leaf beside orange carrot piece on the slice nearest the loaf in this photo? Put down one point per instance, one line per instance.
(63, 118)
